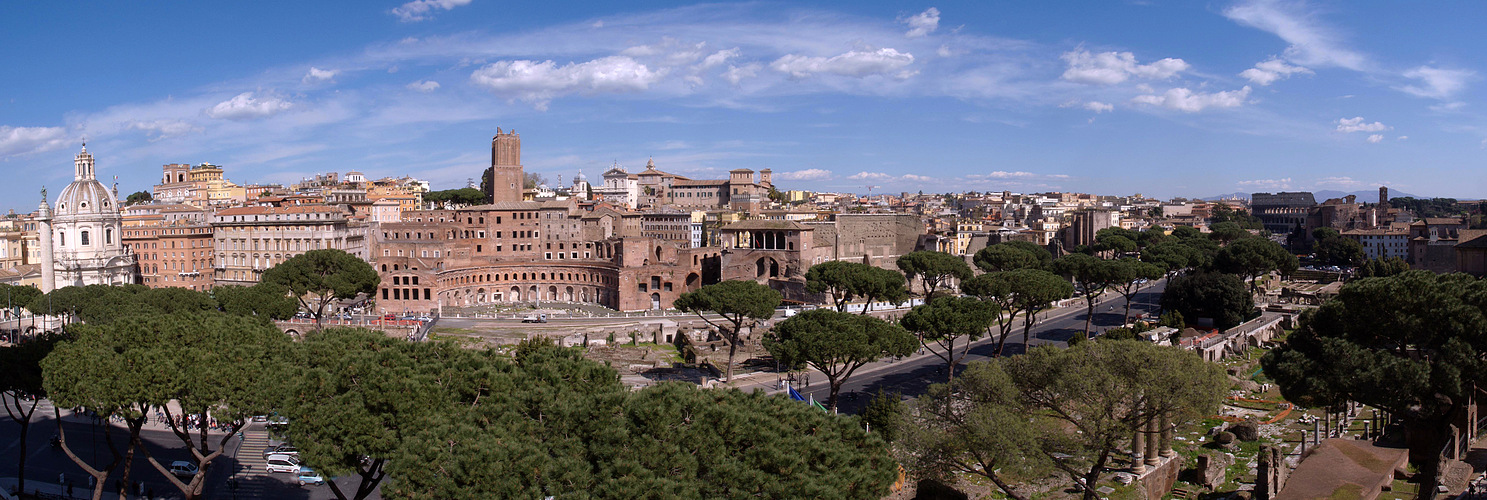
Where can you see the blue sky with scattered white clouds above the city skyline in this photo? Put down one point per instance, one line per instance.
(1168, 99)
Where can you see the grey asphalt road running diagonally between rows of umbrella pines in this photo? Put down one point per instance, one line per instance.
(915, 374)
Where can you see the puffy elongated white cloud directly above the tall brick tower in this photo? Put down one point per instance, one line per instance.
(539, 83)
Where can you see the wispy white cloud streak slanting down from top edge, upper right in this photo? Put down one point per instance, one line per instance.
(1312, 44)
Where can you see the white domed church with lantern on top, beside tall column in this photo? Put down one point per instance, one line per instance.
(87, 233)
